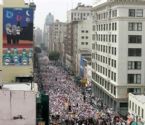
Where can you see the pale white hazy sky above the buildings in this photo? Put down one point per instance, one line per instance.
(57, 7)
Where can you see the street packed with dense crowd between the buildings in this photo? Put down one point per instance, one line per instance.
(65, 98)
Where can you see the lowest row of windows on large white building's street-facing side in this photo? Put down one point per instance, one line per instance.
(107, 85)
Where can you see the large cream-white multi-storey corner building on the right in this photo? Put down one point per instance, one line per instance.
(118, 61)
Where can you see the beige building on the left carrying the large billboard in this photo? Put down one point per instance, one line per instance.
(16, 38)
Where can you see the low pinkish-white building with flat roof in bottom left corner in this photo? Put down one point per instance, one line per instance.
(18, 104)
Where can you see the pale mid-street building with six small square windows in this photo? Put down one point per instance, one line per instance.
(82, 42)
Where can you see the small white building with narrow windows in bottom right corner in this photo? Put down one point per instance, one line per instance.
(137, 106)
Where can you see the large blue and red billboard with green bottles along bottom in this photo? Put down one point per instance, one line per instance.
(17, 36)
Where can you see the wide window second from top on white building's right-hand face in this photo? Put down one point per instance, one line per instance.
(133, 26)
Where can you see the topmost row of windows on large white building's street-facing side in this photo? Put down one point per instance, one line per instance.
(108, 14)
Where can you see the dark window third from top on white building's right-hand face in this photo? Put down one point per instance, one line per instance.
(134, 39)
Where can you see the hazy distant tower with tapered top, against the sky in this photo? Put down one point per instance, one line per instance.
(47, 30)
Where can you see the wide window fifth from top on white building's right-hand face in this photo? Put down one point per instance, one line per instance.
(134, 65)
